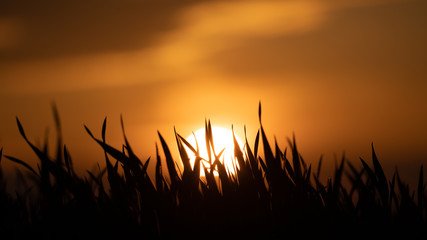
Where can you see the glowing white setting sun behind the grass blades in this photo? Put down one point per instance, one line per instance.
(222, 139)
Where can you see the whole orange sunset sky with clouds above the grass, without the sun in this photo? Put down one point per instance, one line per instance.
(337, 74)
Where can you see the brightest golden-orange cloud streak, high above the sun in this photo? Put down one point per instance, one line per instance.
(214, 27)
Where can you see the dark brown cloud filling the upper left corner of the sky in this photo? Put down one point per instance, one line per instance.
(58, 28)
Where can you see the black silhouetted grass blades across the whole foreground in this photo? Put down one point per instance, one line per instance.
(270, 196)
